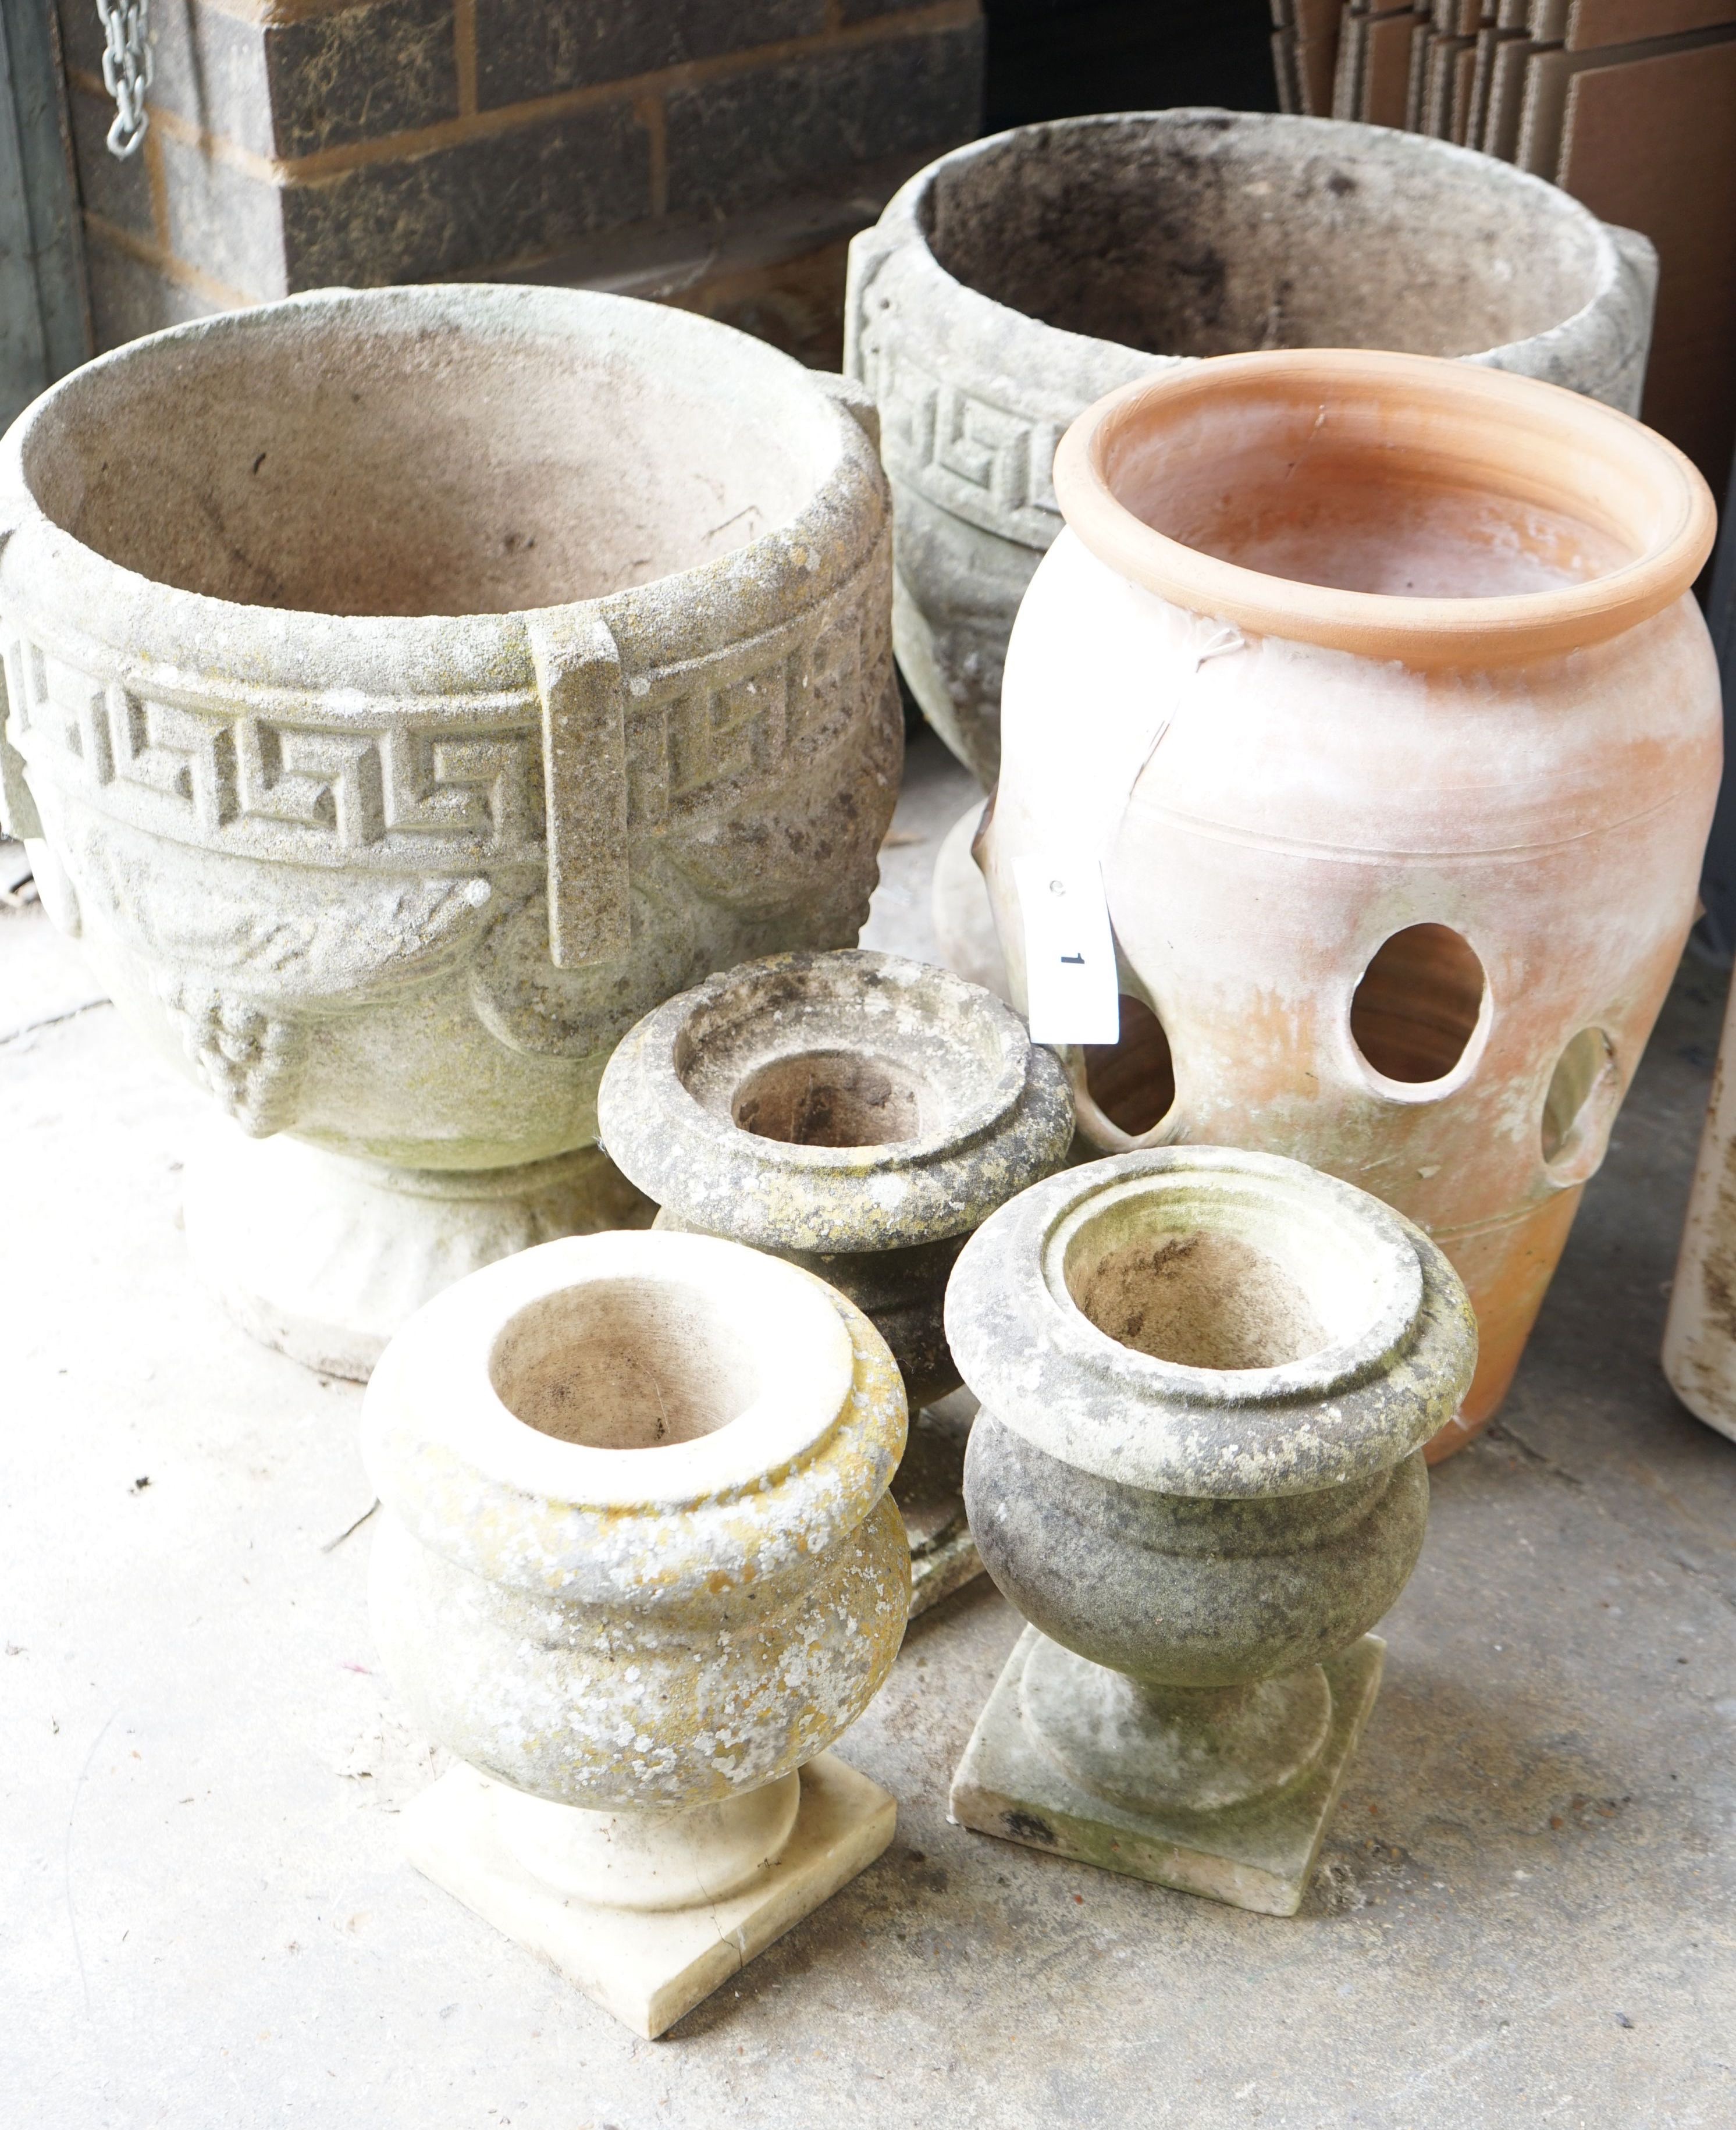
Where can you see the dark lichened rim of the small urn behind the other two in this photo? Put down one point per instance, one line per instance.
(670, 1098)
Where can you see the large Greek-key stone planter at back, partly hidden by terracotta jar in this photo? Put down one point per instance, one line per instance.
(1021, 278)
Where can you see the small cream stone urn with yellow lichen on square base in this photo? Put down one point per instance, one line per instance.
(638, 1569)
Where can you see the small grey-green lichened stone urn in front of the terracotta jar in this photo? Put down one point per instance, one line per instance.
(1207, 1381)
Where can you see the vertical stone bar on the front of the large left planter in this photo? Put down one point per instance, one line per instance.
(585, 787)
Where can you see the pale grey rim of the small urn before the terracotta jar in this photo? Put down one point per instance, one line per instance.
(1394, 1337)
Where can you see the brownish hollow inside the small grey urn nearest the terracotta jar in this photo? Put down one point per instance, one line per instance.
(1202, 1300)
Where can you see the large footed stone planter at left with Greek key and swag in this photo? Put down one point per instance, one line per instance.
(404, 693)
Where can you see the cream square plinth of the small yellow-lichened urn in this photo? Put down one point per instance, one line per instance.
(649, 1969)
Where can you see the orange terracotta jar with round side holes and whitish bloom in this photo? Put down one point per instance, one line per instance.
(1396, 732)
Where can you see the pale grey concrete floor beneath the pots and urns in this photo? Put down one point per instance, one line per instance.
(1524, 1912)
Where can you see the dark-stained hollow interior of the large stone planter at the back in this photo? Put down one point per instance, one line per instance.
(1207, 235)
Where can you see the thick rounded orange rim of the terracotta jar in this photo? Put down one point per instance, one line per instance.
(1447, 425)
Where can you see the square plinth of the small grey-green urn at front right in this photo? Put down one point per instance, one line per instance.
(1251, 1856)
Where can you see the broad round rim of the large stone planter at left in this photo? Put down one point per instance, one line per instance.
(142, 625)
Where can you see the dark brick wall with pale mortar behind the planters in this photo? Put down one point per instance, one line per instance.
(299, 144)
